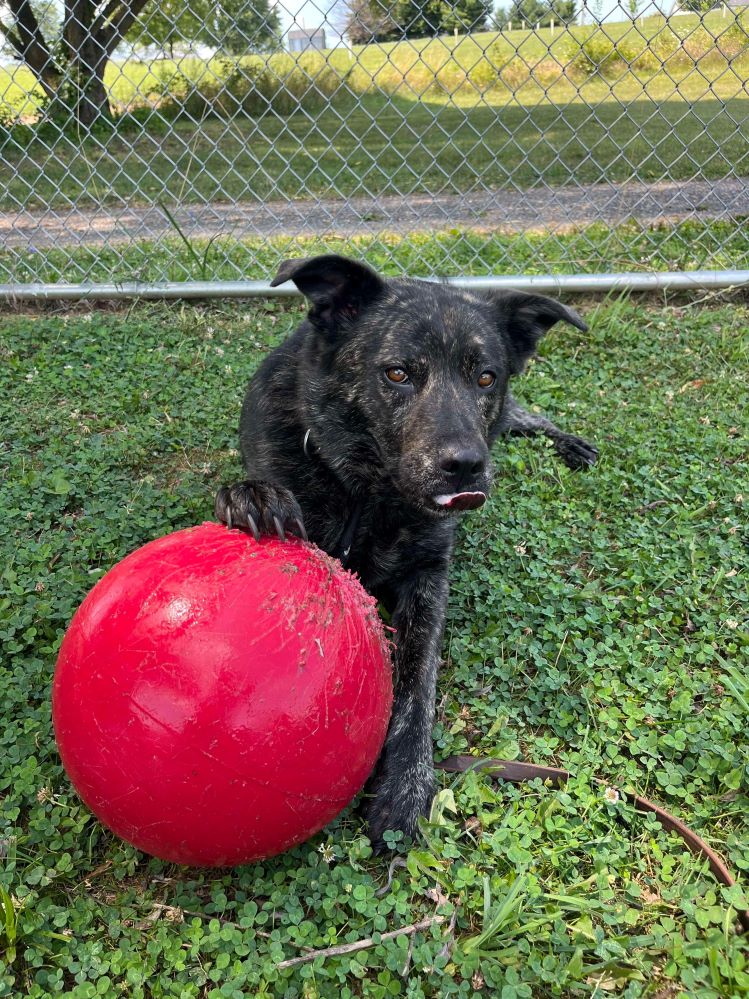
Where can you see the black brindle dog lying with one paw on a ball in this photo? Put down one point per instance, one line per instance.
(368, 431)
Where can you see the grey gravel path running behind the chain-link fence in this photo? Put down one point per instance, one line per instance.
(506, 210)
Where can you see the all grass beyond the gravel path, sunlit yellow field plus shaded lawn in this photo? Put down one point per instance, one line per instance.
(413, 116)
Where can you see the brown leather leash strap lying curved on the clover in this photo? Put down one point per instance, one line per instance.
(518, 773)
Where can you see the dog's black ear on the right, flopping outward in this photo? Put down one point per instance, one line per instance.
(525, 317)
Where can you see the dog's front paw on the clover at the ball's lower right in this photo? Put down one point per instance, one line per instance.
(396, 802)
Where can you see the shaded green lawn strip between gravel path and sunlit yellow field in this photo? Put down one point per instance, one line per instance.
(388, 145)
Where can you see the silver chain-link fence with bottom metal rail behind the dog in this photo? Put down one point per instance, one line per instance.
(190, 144)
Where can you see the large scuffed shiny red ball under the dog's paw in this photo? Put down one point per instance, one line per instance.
(218, 700)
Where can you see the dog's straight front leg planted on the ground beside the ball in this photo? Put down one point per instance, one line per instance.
(402, 785)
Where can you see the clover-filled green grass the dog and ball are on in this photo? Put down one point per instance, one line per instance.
(596, 621)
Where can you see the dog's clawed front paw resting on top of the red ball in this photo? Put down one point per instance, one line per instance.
(260, 507)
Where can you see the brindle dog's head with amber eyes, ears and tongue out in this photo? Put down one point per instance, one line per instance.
(405, 380)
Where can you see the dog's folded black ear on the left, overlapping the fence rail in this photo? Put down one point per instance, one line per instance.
(337, 288)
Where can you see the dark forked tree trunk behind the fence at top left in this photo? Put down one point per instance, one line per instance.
(69, 65)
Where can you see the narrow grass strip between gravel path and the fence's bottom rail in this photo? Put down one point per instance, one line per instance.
(631, 247)
